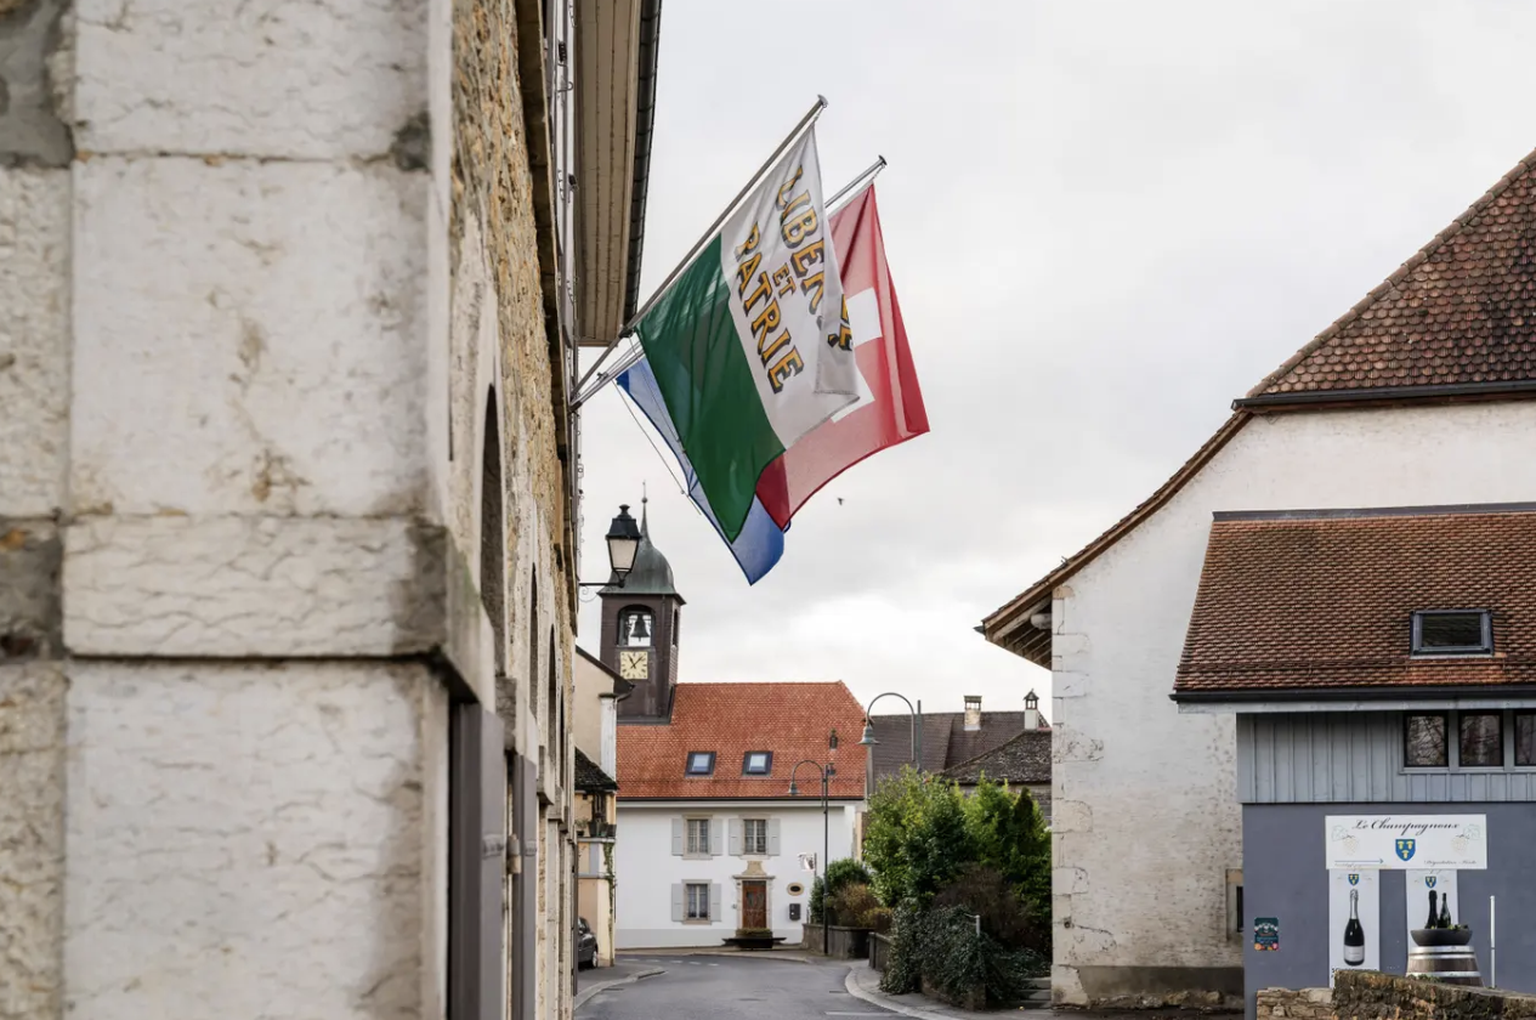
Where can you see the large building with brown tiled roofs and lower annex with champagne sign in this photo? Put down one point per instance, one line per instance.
(1414, 405)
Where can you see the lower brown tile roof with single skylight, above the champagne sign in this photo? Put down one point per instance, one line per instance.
(1306, 601)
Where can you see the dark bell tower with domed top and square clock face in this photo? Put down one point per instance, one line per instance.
(640, 631)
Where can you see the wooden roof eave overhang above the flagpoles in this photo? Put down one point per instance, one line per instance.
(617, 58)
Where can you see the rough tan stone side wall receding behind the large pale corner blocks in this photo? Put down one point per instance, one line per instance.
(508, 345)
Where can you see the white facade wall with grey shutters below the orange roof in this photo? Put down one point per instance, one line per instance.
(646, 869)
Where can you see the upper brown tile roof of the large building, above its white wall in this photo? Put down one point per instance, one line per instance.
(1463, 311)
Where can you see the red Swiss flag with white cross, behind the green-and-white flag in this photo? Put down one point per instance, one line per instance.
(890, 408)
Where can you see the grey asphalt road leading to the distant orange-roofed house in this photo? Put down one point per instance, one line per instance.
(724, 989)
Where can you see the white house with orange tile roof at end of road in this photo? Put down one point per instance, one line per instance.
(713, 836)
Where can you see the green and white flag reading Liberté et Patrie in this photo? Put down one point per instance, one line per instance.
(750, 346)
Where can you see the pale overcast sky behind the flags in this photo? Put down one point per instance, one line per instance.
(1104, 220)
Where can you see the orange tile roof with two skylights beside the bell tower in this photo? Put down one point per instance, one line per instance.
(790, 720)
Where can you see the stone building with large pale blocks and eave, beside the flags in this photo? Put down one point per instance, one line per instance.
(290, 502)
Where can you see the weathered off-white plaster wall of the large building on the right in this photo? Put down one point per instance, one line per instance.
(1145, 815)
